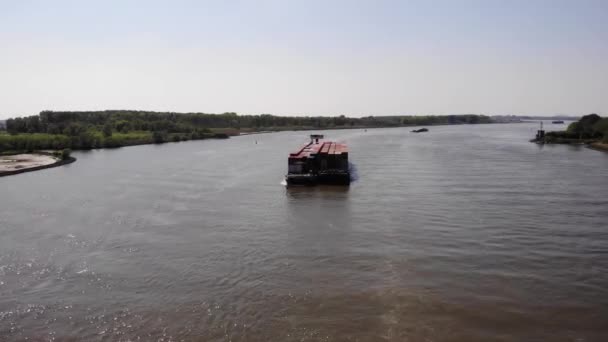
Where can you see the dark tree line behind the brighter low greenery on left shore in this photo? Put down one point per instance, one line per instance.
(125, 121)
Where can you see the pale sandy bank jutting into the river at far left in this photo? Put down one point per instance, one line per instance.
(20, 163)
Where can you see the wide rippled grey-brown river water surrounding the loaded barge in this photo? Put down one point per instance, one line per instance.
(465, 233)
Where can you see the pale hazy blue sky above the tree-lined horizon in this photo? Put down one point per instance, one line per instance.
(309, 57)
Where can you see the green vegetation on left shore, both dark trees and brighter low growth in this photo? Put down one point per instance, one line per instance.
(115, 128)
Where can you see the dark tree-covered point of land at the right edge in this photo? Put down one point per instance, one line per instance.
(590, 130)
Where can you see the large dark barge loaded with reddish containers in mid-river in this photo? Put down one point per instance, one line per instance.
(319, 162)
